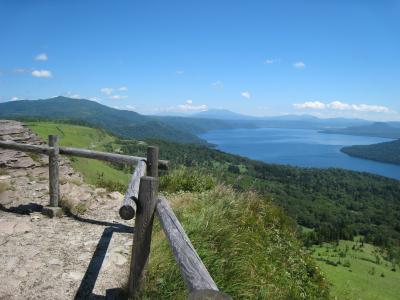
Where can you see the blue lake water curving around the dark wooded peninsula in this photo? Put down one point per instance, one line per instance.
(299, 147)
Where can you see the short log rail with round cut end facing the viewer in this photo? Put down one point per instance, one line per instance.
(128, 208)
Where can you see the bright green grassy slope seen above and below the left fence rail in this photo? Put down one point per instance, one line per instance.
(84, 137)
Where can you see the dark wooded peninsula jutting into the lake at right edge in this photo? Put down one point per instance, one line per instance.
(388, 152)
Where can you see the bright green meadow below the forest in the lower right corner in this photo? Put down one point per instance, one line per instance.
(362, 279)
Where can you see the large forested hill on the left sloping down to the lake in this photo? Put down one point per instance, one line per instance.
(119, 122)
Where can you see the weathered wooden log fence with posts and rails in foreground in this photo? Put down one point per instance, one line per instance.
(141, 200)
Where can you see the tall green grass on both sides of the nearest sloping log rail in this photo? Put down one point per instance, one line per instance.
(248, 245)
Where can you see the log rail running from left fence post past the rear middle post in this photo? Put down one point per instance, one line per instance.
(111, 157)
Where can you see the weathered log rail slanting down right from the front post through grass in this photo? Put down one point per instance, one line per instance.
(193, 270)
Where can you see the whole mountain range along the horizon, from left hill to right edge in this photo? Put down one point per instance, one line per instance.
(175, 128)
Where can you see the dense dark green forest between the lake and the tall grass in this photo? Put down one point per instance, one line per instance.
(338, 204)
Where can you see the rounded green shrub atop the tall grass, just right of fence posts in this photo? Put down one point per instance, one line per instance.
(186, 180)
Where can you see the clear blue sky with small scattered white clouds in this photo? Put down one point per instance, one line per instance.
(327, 58)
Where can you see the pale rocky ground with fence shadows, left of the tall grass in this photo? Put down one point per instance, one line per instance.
(85, 253)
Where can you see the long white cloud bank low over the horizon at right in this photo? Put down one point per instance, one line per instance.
(338, 105)
